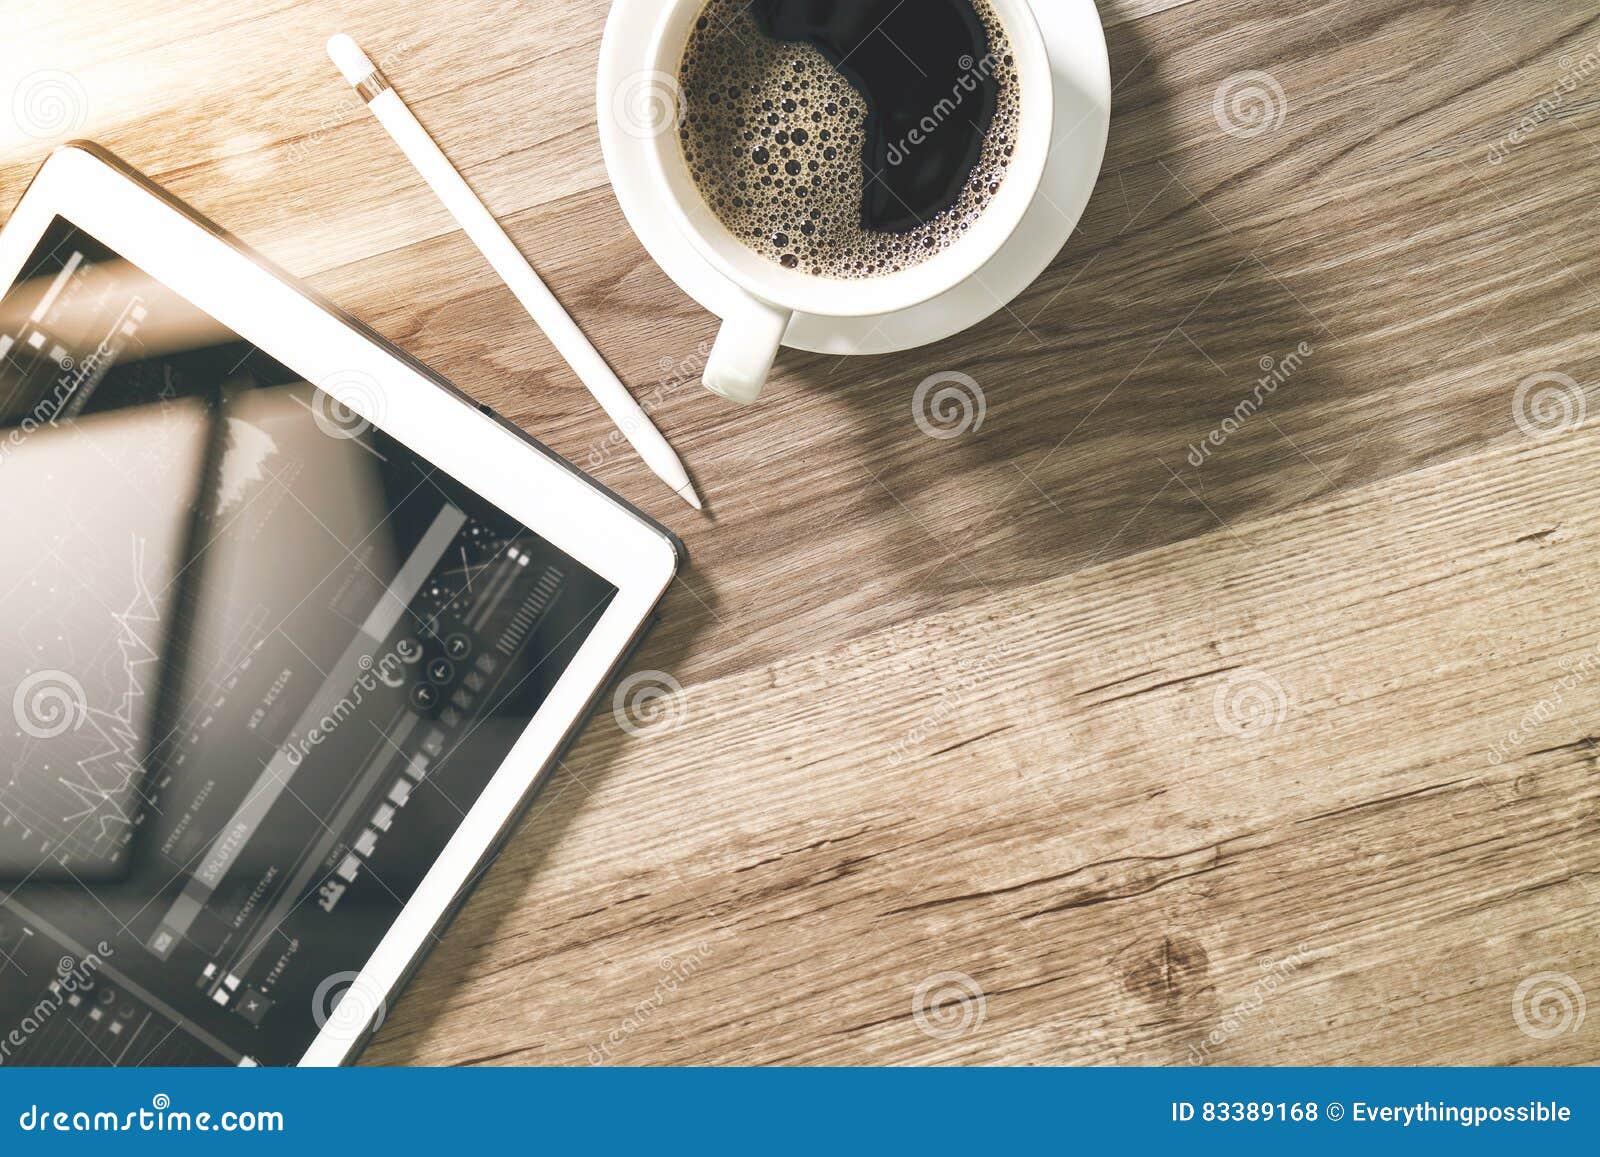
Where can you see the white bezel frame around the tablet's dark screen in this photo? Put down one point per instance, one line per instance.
(241, 292)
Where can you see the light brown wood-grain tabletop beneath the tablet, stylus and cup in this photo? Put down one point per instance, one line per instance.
(1041, 743)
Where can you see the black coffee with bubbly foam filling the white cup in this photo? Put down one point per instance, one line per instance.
(849, 138)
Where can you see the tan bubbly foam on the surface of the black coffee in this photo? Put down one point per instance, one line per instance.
(774, 137)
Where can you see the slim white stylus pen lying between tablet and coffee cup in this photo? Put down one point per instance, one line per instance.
(513, 268)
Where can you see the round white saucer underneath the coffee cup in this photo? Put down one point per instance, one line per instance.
(1082, 81)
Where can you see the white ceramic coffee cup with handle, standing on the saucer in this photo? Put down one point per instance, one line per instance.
(751, 334)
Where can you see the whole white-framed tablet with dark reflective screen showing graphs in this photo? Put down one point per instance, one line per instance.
(289, 635)
